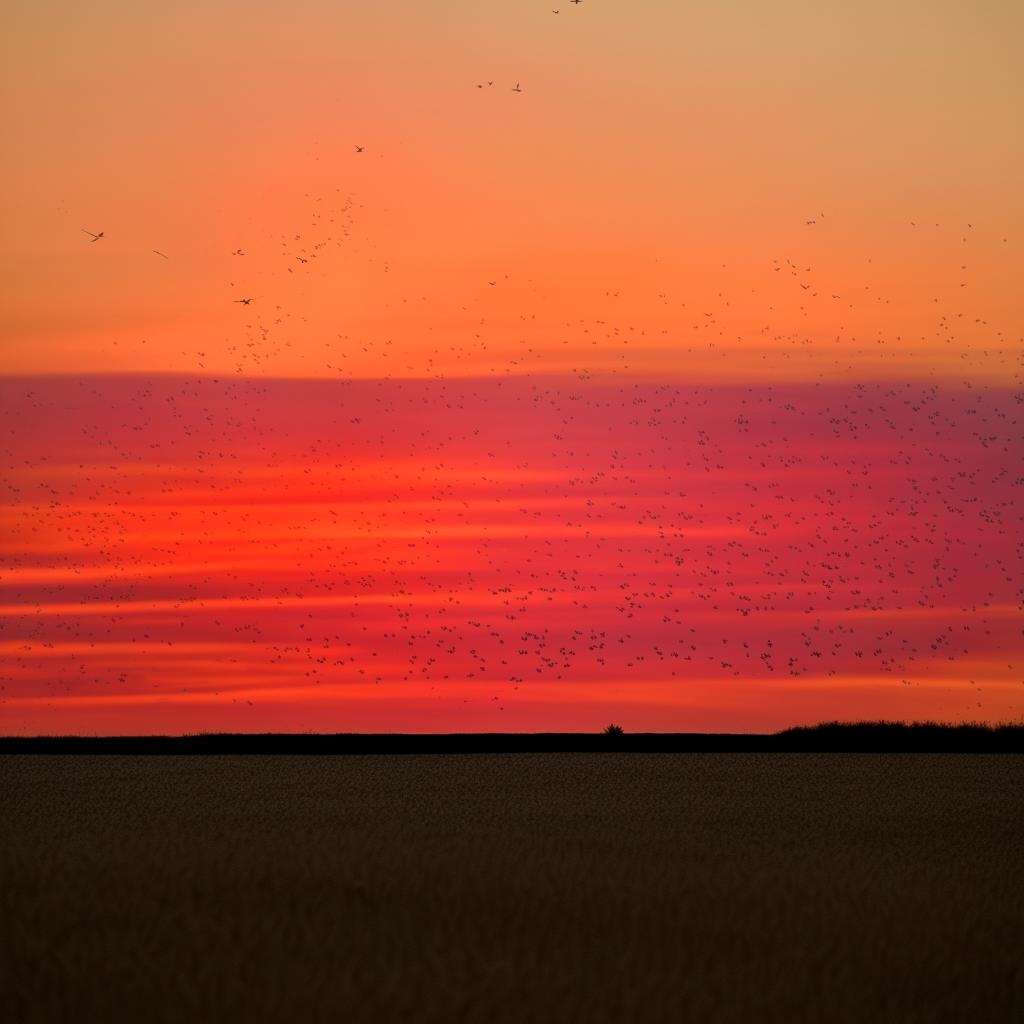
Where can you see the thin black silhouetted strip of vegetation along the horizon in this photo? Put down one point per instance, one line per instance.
(868, 738)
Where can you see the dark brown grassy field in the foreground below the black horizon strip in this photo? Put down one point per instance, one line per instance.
(534, 887)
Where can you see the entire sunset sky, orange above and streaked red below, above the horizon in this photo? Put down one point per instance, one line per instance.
(559, 352)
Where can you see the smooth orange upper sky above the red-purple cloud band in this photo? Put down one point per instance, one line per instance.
(660, 166)
